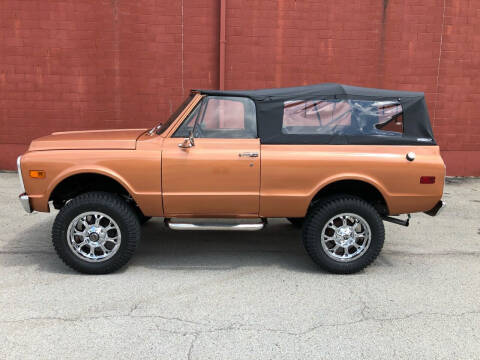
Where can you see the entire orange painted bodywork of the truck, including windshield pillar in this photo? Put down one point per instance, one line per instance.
(210, 179)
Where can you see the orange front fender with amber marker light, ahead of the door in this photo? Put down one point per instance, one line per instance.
(138, 171)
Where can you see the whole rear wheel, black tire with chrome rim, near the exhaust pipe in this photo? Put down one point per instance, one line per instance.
(343, 235)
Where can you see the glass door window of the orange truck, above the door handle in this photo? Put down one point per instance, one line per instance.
(221, 117)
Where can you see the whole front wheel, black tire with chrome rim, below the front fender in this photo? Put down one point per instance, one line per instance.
(96, 233)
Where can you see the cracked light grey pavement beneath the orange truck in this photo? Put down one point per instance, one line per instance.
(233, 295)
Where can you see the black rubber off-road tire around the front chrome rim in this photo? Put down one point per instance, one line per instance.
(113, 206)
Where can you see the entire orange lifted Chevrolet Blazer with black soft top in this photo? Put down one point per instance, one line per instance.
(335, 160)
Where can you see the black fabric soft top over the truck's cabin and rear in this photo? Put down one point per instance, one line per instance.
(270, 107)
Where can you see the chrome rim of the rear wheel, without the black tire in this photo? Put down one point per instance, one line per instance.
(346, 237)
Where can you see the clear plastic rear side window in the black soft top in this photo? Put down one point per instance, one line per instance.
(342, 117)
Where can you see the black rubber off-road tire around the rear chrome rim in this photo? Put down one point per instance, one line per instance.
(324, 210)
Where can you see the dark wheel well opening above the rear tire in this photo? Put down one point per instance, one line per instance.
(358, 188)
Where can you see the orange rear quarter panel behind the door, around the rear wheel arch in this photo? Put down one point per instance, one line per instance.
(293, 174)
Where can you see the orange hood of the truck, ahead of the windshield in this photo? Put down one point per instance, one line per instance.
(83, 140)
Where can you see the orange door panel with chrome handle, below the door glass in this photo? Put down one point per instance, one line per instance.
(211, 178)
